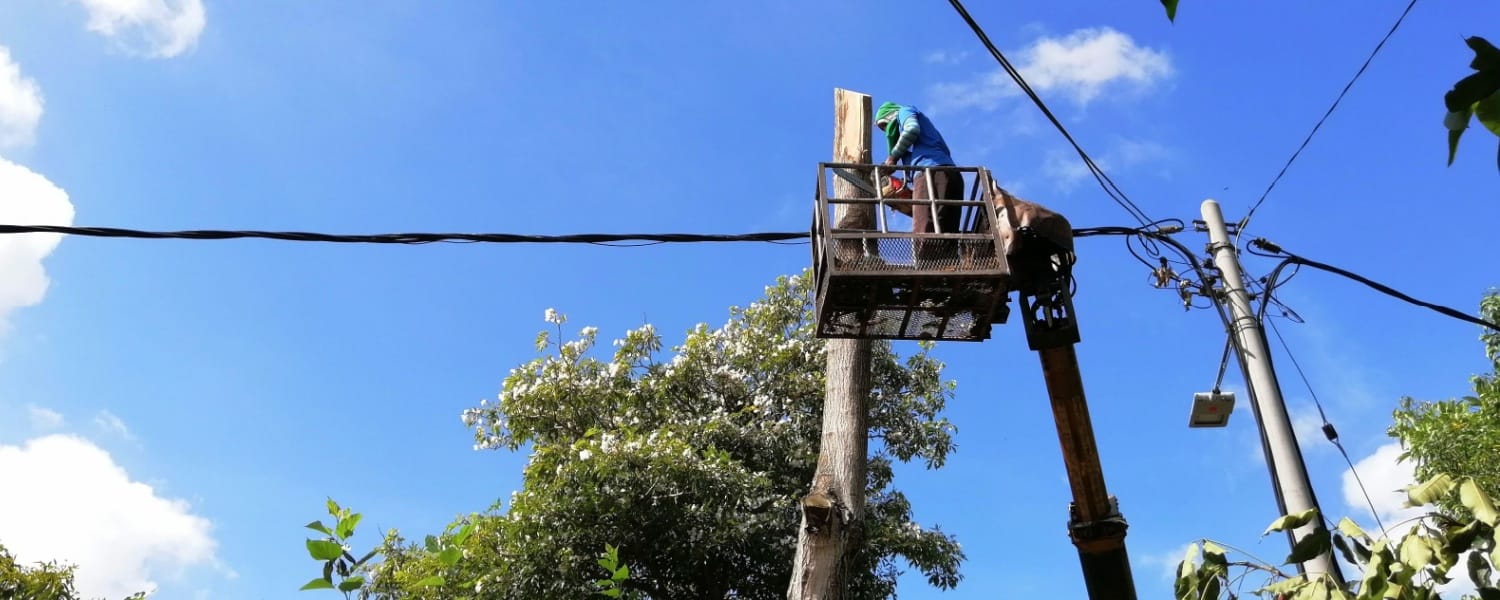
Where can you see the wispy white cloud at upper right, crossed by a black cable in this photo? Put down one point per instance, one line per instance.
(1081, 67)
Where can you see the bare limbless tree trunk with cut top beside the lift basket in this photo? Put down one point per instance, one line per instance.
(832, 533)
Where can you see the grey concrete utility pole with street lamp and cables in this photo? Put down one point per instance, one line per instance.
(1283, 455)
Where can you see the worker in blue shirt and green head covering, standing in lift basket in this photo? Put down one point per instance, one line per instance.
(913, 140)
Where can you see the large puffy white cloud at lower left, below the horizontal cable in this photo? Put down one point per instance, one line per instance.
(82, 508)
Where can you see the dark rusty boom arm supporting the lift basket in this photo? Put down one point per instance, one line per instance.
(1043, 275)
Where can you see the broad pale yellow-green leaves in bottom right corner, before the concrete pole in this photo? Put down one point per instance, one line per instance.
(1406, 568)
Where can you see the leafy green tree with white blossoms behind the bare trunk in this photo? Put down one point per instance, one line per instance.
(694, 466)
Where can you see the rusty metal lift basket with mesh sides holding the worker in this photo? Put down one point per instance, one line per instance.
(883, 281)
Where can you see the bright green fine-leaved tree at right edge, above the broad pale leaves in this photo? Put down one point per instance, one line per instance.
(1460, 436)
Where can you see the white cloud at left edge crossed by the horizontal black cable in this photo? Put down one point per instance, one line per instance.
(29, 200)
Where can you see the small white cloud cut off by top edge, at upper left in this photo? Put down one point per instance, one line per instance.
(160, 29)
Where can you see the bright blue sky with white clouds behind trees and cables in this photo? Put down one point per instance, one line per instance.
(190, 404)
